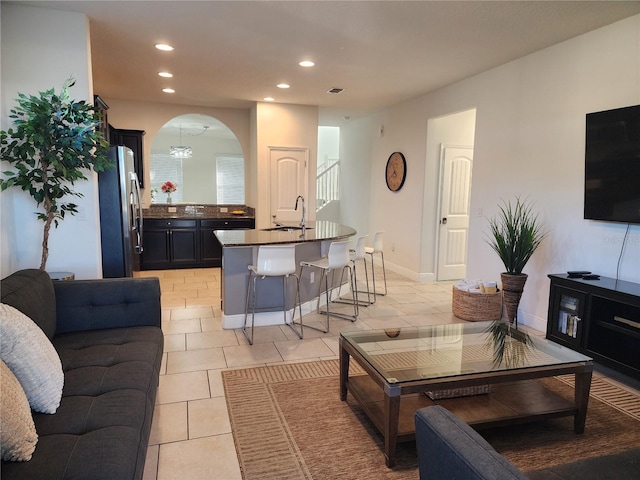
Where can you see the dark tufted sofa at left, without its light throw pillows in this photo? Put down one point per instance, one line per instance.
(108, 336)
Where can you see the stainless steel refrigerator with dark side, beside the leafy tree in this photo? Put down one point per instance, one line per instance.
(120, 215)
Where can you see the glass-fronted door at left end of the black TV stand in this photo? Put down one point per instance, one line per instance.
(568, 309)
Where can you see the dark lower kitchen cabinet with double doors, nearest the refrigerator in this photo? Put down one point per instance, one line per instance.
(170, 243)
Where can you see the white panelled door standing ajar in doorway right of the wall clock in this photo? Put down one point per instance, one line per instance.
(455, 190)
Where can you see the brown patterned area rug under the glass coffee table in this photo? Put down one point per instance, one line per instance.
(288, 423)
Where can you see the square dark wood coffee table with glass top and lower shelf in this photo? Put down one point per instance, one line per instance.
(483, 372)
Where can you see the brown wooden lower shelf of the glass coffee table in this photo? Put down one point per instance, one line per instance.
(506, 404)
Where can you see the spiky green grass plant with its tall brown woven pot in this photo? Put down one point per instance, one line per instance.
(516, 233)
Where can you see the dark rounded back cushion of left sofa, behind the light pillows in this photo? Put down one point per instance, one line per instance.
(32, 292)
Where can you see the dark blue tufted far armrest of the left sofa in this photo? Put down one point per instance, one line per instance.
(107, 303)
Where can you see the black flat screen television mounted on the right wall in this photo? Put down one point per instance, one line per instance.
(612, 165)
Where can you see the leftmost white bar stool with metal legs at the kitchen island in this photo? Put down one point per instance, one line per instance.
(273, 261)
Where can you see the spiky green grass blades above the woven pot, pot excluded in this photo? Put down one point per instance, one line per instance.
(516, 233)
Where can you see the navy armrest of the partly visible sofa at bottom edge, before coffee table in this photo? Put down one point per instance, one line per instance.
(449, 448)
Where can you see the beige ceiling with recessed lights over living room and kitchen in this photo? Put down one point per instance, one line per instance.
(233, 53)
